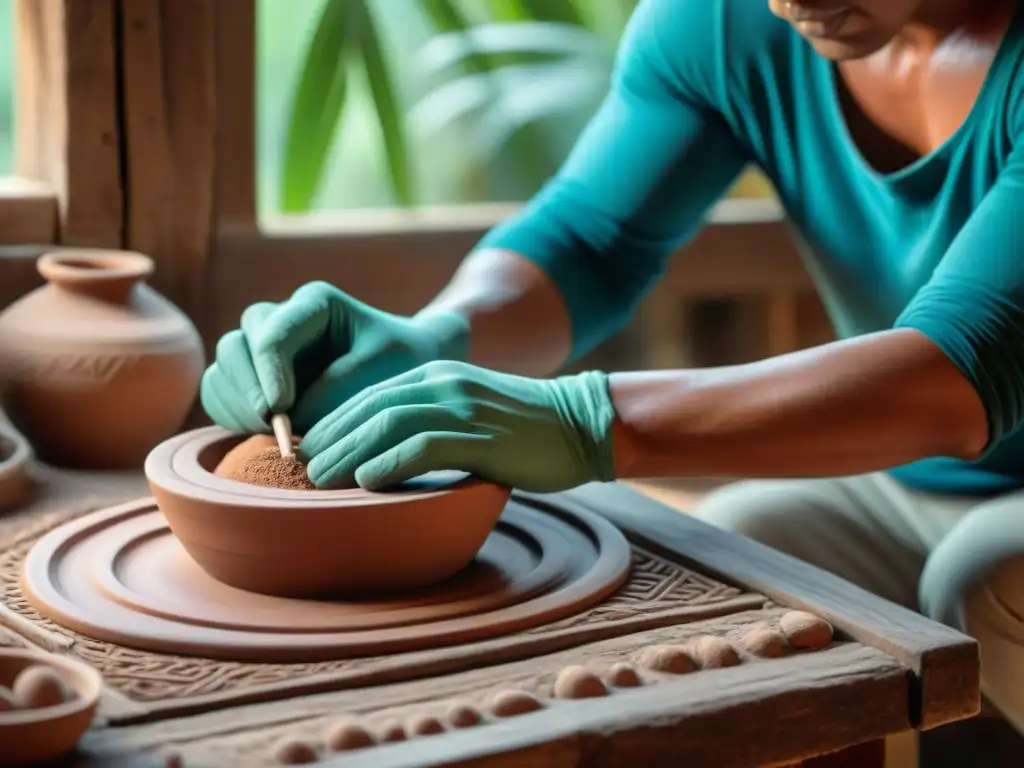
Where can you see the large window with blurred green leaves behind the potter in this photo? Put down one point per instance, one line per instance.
(457, 136)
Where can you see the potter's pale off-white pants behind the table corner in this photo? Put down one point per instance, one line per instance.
(956, 560)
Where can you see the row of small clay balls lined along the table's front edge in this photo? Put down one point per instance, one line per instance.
(797, 630)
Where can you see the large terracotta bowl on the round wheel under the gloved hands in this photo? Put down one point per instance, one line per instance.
(318, 543)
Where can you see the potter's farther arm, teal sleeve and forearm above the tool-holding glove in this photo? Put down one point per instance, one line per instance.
(569, 272)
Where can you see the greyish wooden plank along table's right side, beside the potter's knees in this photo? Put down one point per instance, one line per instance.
(945, 661)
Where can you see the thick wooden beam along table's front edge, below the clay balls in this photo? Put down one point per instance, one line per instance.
(785, 710)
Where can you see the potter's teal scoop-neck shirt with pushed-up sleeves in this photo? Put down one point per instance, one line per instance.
(704, 89)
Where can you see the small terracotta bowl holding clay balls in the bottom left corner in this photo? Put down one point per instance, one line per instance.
(30, 737)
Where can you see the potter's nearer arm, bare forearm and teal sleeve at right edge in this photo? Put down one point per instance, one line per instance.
(949, 380)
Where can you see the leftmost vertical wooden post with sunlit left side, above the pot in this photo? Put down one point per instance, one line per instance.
(67, 129)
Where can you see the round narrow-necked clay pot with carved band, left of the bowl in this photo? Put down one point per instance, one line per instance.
(101, 368)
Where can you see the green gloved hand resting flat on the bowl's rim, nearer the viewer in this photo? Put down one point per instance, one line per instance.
(542, 436)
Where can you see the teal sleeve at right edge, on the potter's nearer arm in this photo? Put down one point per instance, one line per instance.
(973, 307)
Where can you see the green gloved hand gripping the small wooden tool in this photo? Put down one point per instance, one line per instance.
(309, 355)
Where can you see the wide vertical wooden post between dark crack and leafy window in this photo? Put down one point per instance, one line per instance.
(170, 137)
